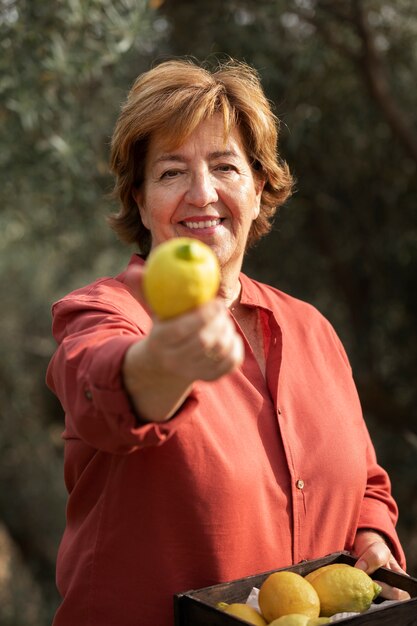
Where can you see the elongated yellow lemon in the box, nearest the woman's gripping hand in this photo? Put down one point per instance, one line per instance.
(343, 589)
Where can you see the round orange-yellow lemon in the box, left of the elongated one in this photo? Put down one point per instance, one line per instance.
(284, 593)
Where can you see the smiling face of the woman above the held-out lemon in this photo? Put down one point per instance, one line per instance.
(204, 189)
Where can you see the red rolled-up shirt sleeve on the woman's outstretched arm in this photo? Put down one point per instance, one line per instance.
(86, 374)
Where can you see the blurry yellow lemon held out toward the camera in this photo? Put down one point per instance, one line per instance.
(180, 275)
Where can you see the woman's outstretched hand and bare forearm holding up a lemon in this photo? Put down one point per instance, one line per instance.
(159, 370)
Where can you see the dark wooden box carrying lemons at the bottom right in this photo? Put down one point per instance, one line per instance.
(198, 607)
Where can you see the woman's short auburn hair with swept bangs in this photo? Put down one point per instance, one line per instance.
(171, 100)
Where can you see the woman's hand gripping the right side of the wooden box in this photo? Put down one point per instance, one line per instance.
(373, 552)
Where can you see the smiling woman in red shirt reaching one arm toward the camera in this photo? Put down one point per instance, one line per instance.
(227, 441)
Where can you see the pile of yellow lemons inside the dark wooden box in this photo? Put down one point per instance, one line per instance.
(289, 599)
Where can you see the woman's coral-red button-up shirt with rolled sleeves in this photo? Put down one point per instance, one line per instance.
(252, 474)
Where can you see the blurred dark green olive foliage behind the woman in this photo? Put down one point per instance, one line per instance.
(342, 78)
